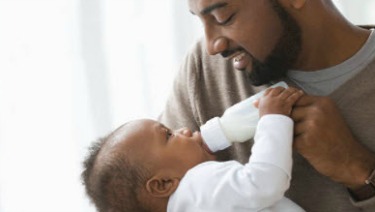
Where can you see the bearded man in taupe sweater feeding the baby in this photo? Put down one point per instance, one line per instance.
(309, 44)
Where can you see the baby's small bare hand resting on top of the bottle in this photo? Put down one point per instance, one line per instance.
(278, 101)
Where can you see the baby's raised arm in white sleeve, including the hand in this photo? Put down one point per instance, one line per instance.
(270, 164)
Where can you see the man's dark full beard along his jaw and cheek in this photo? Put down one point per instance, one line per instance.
(283, 56)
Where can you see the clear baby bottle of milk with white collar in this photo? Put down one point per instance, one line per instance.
(237, 124)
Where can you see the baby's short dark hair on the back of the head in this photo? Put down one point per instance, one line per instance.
(113, 183)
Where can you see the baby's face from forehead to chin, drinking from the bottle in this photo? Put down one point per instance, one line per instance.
(174, 151)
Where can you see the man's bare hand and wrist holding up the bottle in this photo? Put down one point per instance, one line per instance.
(325, 140)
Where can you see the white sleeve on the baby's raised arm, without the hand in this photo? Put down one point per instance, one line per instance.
(270, 164)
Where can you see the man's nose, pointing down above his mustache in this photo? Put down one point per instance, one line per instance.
(215, 43)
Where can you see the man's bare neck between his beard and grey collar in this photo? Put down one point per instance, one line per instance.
(328, 39)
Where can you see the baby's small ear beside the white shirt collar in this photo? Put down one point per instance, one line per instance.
(159, 186)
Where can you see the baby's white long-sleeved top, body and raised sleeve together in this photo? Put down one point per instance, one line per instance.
(231, 186)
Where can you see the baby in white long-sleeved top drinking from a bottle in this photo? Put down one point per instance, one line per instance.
(144, 166)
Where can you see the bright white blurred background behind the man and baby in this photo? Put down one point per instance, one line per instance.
(71, 71)
